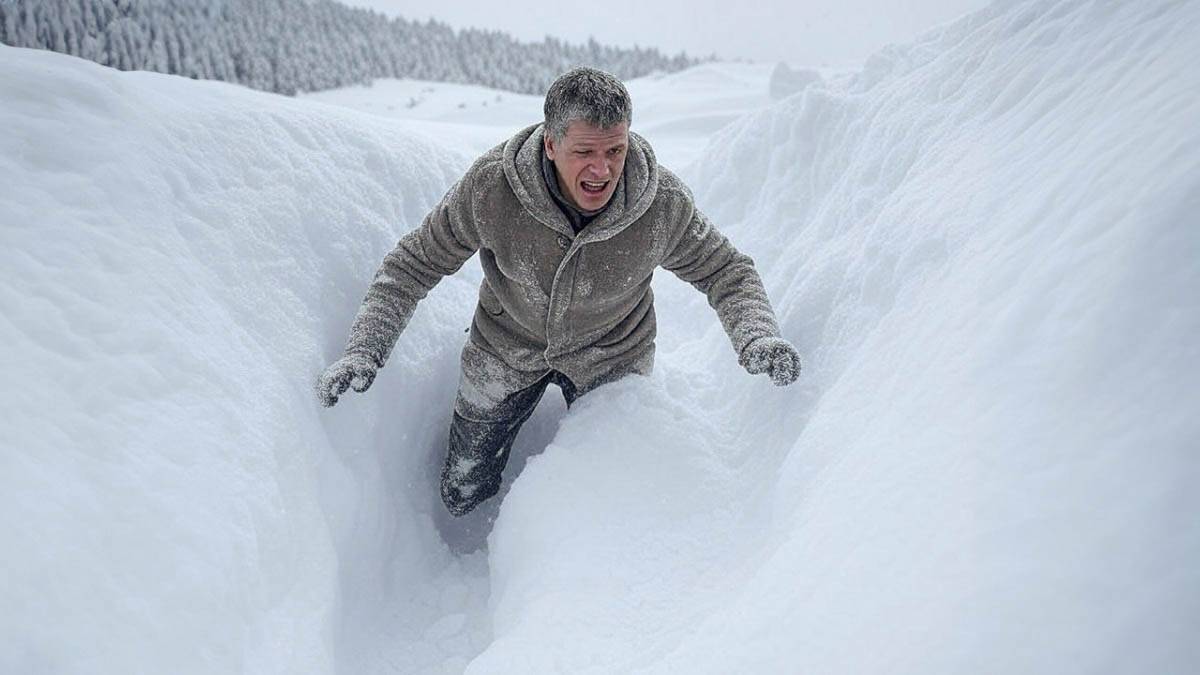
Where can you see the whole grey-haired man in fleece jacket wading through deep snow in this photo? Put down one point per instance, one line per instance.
(571, 219)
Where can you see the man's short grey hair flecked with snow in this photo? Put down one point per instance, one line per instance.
(586, 95)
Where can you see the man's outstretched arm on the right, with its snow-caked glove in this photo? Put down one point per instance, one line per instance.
(707, 260)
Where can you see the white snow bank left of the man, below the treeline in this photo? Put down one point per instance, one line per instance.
(181, 260)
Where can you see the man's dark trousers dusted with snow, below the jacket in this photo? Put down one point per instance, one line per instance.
(479, 451)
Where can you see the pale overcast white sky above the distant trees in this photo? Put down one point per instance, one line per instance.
(799, 32)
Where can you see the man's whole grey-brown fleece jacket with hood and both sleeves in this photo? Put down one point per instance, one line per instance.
(553, 300)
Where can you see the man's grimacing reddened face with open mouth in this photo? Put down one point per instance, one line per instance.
(589, 162)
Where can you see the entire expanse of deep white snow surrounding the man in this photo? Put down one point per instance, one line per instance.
(986, 246)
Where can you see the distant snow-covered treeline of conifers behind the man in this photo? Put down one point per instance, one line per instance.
(290, 46)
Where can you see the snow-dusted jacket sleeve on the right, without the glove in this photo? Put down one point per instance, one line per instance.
(707, 260)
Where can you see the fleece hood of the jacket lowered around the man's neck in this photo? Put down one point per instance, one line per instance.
(633, 198)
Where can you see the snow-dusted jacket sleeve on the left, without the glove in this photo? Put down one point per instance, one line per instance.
(447, 238)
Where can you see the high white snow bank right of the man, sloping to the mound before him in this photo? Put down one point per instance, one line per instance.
(987, 247)
